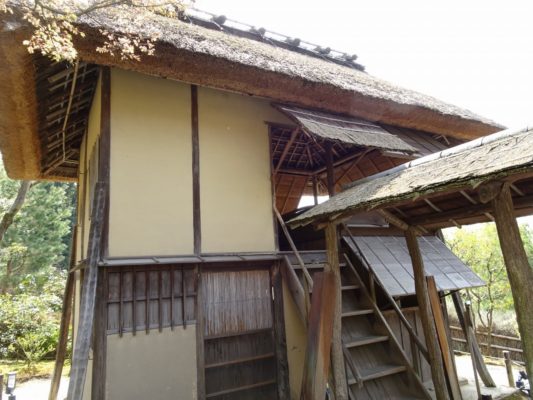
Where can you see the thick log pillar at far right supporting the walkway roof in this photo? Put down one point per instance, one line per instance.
(519, 271)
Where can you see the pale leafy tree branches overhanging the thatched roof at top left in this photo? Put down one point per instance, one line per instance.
(54, 24)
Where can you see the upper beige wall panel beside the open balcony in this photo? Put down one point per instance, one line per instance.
(235, 188)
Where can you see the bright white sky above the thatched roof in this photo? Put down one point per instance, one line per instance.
(472, 53)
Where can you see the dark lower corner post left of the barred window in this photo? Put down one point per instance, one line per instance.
(100, 339)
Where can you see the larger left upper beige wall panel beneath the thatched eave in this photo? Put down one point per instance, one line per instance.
(151, 166)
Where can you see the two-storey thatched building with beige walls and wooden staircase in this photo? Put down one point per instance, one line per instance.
(186, 281)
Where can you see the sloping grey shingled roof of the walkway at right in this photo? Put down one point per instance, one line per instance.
(498, 155)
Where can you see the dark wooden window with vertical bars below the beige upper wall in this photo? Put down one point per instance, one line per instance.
(161, 295)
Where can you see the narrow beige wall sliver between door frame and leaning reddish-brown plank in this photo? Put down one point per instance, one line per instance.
(296, 340)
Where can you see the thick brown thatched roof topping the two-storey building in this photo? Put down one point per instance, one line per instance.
(221, 59)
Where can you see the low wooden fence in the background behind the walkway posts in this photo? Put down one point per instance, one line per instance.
(498, 344)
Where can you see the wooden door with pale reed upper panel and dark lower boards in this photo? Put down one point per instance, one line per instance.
(239, 349)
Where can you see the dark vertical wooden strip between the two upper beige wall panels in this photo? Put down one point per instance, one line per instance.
(197, 222)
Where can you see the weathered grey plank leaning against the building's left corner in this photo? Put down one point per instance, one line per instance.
(80, 358)
